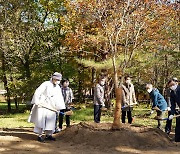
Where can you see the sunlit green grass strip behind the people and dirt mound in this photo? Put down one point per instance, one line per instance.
(81, 113)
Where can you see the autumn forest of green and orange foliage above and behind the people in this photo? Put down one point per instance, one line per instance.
(84, 39)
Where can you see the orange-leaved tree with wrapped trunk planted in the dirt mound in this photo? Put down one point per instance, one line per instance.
(107, 34)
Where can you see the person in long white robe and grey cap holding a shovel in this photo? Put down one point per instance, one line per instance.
(47, 100)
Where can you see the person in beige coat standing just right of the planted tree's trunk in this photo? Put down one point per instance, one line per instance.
(128, 100)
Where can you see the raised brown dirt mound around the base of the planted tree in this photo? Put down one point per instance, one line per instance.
(102, 137)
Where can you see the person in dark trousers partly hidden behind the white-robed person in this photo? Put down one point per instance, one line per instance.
(68, 97)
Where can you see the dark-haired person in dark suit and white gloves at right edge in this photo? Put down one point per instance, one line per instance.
(175, 100)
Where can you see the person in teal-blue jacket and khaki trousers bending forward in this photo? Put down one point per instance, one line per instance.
(158, 103)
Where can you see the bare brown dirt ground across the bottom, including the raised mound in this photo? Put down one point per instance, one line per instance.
(89, 138)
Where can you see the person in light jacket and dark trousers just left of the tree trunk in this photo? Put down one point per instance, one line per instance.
(99, 99)
